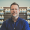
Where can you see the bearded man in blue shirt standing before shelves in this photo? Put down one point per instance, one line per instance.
(15, 22)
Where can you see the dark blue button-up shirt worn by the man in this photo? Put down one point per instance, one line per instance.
(20, 24)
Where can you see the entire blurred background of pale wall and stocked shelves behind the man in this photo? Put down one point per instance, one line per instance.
(5, 13)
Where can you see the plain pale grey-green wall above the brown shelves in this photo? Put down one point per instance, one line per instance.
(22, 3)
